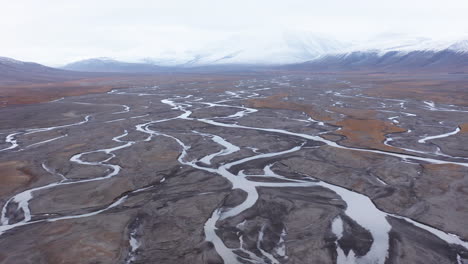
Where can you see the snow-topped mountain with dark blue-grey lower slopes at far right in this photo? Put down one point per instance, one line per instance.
(395, 53)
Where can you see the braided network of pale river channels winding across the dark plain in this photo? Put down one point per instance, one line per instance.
(359, 207)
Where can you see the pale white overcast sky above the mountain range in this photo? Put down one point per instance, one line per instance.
(55, 32)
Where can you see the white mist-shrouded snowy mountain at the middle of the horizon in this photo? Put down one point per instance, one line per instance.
(267, 48)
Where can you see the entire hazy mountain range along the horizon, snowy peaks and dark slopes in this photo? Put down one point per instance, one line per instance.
(276, 50)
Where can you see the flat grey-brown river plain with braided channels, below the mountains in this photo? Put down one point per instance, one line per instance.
(256, 168)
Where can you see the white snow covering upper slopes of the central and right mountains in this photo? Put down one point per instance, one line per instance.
(292, 46)
